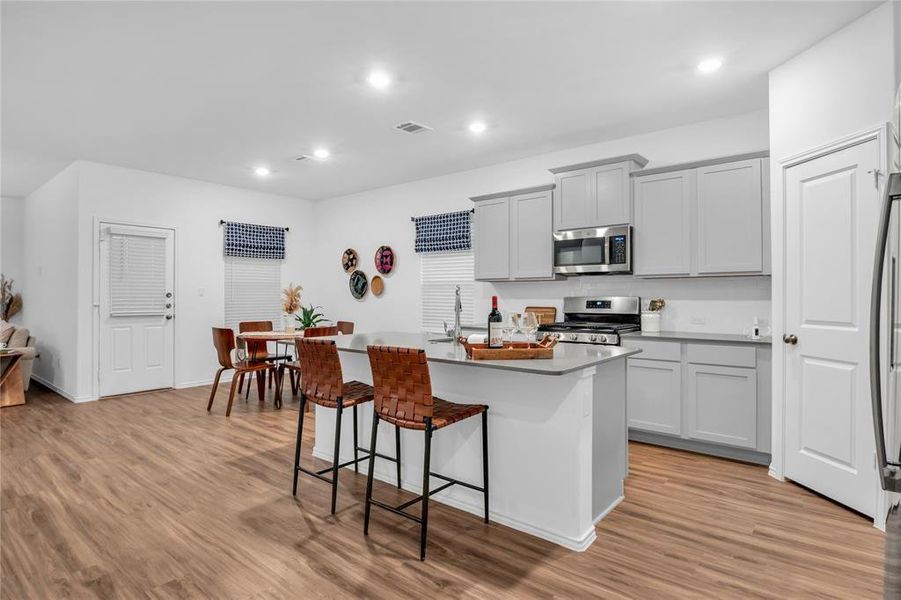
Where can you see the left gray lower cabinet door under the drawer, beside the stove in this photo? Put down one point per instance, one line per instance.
(654, 397)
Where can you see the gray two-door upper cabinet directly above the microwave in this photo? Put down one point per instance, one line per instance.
(594, 194)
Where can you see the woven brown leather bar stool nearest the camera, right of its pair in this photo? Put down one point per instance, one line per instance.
(403, 396)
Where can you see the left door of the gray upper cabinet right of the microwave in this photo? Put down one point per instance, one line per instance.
(662, 234)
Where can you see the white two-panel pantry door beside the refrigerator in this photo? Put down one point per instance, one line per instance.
(832, 207)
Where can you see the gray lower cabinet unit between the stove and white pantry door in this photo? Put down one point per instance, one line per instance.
(707, 397)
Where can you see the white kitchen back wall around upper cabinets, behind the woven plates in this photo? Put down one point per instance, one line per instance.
(366, 220)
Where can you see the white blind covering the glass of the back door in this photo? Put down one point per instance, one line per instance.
(137, 275)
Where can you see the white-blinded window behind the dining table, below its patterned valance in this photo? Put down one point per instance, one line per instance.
(252, 290)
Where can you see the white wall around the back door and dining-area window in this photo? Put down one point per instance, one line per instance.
(194, 209)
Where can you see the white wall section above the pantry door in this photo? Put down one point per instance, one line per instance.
(843, 85)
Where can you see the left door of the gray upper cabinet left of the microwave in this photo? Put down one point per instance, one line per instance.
(491, 242)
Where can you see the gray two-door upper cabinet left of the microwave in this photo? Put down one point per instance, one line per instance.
(513, 235)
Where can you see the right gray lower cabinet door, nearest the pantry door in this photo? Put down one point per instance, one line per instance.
(721, 405)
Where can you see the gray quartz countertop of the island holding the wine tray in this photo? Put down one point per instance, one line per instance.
(567, 357)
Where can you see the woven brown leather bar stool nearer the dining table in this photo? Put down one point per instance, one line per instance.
(322, 383)
